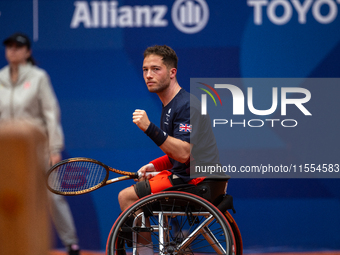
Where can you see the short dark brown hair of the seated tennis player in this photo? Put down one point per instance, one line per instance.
(168, 55)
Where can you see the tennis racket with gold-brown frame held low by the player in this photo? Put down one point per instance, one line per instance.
(76, 176)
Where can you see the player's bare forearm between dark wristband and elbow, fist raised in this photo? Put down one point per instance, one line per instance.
(177, 149)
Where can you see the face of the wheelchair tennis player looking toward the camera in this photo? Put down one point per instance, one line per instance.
(156, 74)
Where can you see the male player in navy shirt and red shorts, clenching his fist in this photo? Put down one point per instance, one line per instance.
(184, 134)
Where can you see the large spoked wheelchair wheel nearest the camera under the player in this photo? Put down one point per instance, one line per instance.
(175, 223)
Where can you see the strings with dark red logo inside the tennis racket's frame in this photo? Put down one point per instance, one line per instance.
(76, 176)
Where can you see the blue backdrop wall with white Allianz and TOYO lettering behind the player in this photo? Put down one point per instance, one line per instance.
(93, 52)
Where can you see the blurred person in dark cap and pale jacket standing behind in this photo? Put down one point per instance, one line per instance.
(26, 93)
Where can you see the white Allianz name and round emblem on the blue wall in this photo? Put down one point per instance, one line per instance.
(188, 16)
